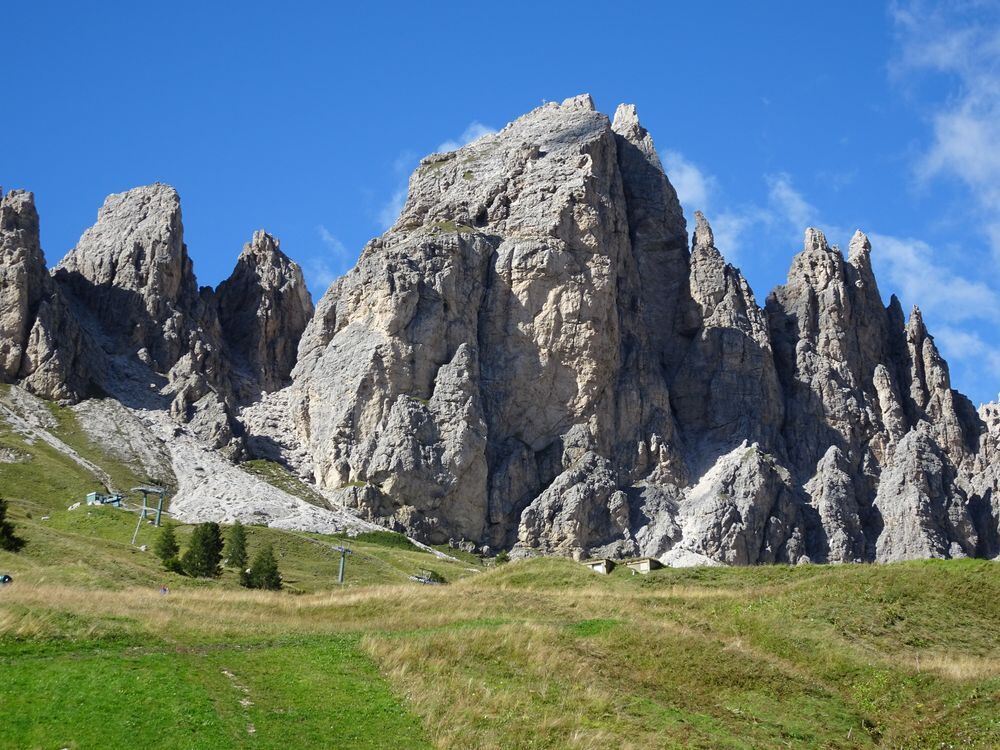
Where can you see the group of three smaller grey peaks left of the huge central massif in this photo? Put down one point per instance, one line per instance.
(122, 314)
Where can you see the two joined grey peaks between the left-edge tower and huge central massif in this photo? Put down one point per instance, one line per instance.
(204, 351)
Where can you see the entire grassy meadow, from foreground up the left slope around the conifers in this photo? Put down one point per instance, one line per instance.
(533, 654)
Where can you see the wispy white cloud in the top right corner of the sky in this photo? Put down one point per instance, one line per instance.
(962, 43)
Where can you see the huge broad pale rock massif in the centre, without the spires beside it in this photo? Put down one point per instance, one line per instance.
(507, 272)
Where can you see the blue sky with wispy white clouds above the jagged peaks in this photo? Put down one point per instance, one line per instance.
(307, 119)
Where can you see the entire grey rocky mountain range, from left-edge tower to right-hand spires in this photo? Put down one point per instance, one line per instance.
(534, 357)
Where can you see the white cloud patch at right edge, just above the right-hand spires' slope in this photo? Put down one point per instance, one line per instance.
(911, 269)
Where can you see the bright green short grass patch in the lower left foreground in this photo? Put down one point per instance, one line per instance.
(205, 698)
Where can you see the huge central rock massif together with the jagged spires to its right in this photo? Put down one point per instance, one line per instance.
(532, 357)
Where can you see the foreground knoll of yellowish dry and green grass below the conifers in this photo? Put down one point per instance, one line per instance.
(543, 653)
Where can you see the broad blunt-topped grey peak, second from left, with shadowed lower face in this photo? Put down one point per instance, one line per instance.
(132, 274)
